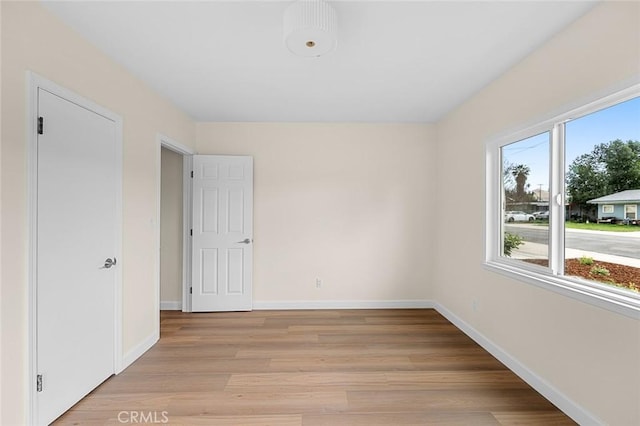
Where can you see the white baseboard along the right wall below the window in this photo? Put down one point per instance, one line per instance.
(568, 406)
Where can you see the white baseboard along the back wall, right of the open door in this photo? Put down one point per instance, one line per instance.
(342, 304)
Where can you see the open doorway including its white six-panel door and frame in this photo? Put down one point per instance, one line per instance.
(196, 191)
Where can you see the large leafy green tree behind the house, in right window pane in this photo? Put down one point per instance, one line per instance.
(610, 167)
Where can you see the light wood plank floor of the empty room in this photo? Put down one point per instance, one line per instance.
(329, 367)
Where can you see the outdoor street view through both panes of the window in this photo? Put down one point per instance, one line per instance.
(600, 230)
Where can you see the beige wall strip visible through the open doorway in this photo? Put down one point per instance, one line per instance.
(171, 232)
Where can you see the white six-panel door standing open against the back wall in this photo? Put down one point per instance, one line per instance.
(222, 240)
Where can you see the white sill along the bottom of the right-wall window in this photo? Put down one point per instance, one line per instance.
(600, 295)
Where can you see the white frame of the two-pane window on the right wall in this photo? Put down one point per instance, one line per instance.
(551, 278)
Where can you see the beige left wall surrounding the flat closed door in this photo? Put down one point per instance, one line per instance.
(34, 40)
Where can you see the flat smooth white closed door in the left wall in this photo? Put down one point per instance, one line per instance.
(76, 243)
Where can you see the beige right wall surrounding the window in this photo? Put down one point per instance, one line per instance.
(589, 354)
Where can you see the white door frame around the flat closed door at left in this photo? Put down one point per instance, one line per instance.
(33, 83)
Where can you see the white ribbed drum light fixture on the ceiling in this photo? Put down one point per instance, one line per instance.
(310, 28)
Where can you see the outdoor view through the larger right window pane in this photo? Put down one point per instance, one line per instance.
(602, 184)
